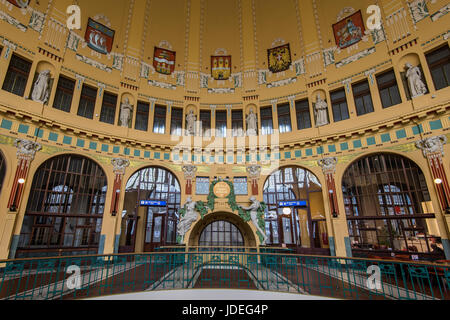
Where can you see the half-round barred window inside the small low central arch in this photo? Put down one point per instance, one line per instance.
(221, 234)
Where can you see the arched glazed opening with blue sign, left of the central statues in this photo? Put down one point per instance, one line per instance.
(160, 218)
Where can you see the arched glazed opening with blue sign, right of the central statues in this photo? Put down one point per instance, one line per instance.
(303, 226)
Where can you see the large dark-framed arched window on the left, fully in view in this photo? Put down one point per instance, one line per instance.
(65, 208)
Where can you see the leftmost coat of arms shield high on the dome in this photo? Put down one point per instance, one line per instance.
(99, 37)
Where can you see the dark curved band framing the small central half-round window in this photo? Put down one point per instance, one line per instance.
(243, 227)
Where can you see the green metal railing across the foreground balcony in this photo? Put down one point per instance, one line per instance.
(343, 278)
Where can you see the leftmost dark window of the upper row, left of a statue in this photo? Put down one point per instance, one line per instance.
(17, 75)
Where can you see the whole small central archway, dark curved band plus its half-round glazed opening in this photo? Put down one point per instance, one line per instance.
(222, 220)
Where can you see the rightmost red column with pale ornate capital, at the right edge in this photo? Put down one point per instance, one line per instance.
(433, 150)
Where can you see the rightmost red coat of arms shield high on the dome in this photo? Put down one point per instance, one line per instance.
(349, 30)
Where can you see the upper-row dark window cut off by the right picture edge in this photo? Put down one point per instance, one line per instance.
(439, 64)
